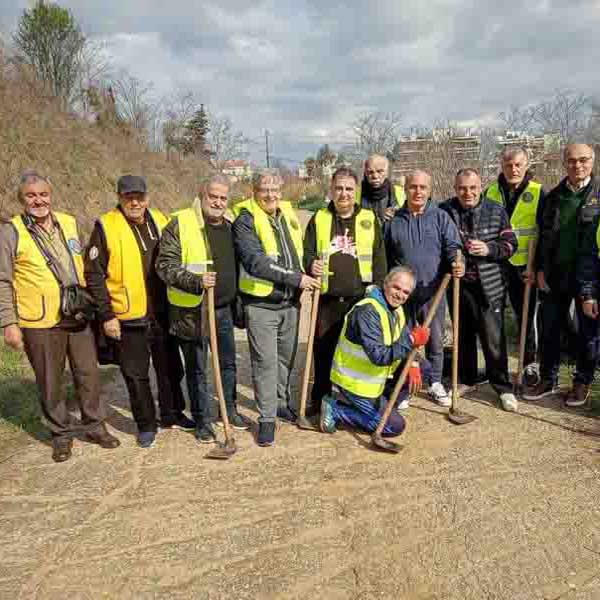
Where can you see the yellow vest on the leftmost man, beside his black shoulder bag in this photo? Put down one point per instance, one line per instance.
(37, 291)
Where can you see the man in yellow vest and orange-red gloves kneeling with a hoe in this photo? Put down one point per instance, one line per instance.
(374, 341)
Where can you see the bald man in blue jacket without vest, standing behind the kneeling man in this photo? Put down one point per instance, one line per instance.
(424, 237)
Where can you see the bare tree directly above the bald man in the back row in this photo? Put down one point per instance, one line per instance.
(376, 132)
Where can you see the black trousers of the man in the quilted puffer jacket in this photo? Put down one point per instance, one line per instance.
(479, 320)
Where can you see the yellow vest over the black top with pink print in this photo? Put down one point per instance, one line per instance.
(364, 227)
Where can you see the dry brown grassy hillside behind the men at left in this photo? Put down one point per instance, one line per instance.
(84, 160)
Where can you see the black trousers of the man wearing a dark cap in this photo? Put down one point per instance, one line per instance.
(136, 347)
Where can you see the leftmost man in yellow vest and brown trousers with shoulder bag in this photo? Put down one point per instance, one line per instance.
(45, 311)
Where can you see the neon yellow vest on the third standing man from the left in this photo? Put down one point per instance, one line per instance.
(194, 257)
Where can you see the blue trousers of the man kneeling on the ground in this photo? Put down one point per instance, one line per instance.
(365, 413)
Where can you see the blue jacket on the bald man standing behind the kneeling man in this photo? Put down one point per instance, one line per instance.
(427, 243)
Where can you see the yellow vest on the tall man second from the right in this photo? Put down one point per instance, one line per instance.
(523, 220)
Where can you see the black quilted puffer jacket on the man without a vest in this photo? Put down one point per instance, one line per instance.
(491, 225)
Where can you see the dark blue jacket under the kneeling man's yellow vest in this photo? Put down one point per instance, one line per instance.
(364, 328)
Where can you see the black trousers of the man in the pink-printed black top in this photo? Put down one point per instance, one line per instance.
(330, 321)
